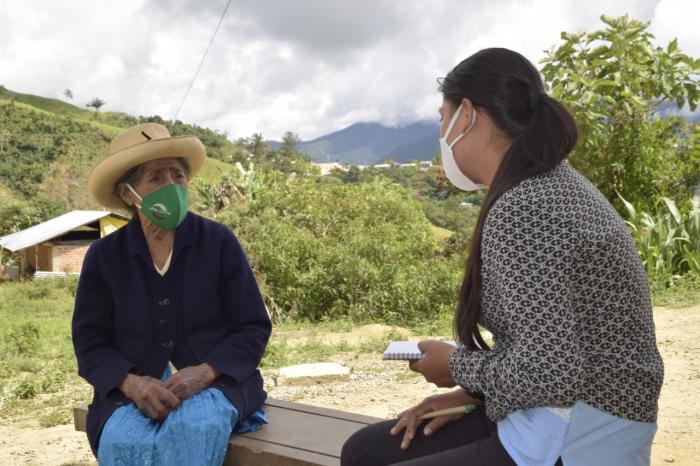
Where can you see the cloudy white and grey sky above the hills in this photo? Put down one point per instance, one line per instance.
(309, 66)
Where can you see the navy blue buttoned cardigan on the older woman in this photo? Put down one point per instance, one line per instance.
(128, 318)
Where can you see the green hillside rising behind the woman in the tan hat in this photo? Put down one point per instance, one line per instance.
(48, 147)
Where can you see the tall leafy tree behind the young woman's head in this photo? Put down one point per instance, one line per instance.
(621, 89)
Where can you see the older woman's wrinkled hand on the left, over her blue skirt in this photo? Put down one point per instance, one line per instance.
(149, 395)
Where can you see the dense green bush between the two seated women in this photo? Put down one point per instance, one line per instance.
(361, 251)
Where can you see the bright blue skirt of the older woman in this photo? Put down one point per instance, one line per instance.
(195, 434)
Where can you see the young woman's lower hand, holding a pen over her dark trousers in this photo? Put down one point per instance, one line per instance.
(408, 420)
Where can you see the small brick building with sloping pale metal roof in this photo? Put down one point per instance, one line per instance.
(57, 247)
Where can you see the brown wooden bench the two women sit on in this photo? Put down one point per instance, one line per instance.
(297, 435)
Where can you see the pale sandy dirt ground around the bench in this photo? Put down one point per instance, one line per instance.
(373, 390)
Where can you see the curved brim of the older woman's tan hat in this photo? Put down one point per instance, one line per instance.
(104, 176)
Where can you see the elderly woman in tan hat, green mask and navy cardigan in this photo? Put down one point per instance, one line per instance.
(170, 288)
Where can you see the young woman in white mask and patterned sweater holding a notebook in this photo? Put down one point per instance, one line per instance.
(574, 373)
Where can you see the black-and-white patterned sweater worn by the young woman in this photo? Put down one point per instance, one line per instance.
(567, 300)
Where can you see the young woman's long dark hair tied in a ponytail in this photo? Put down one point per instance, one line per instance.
(507, 87)
